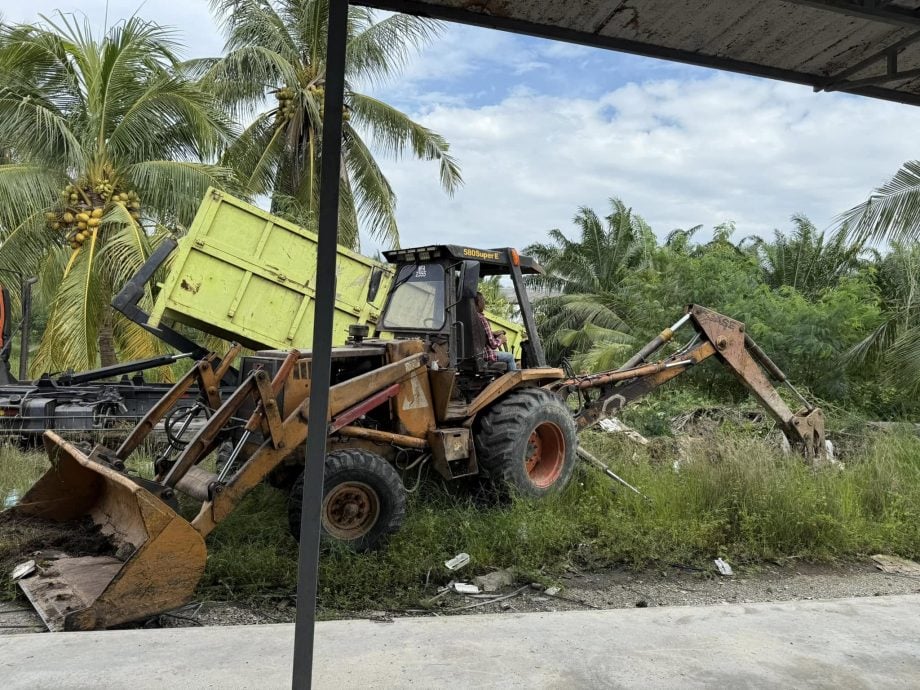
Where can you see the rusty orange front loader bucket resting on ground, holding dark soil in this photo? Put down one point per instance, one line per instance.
(155, 558)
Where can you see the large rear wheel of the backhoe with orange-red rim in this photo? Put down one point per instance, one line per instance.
(527, 442)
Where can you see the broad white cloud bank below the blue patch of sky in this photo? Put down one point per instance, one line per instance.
(680, 153)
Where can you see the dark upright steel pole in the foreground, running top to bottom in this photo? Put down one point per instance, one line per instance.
(322, 344)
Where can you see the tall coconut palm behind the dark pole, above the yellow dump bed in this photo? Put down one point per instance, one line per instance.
(273, 75)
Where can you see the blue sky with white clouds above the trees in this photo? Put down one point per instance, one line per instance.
(542, 128)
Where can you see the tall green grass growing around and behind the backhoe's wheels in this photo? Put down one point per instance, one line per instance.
(733, 497)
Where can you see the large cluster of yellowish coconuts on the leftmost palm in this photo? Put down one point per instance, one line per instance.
(79, 215)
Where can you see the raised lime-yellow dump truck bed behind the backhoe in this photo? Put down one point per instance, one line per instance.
(245, 275)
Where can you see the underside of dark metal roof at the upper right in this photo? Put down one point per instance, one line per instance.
(866, 47)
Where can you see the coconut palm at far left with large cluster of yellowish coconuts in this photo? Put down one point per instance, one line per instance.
(110, 141)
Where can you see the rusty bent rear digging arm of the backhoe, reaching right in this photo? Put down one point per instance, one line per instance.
(605, 394)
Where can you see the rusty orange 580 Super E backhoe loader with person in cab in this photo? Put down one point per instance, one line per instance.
(427, 393)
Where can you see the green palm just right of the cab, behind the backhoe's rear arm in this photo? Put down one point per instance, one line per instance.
(580, 314)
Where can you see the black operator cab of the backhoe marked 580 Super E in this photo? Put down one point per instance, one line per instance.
(433, 297)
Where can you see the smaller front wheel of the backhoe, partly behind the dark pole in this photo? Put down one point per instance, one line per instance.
(364, 500)
